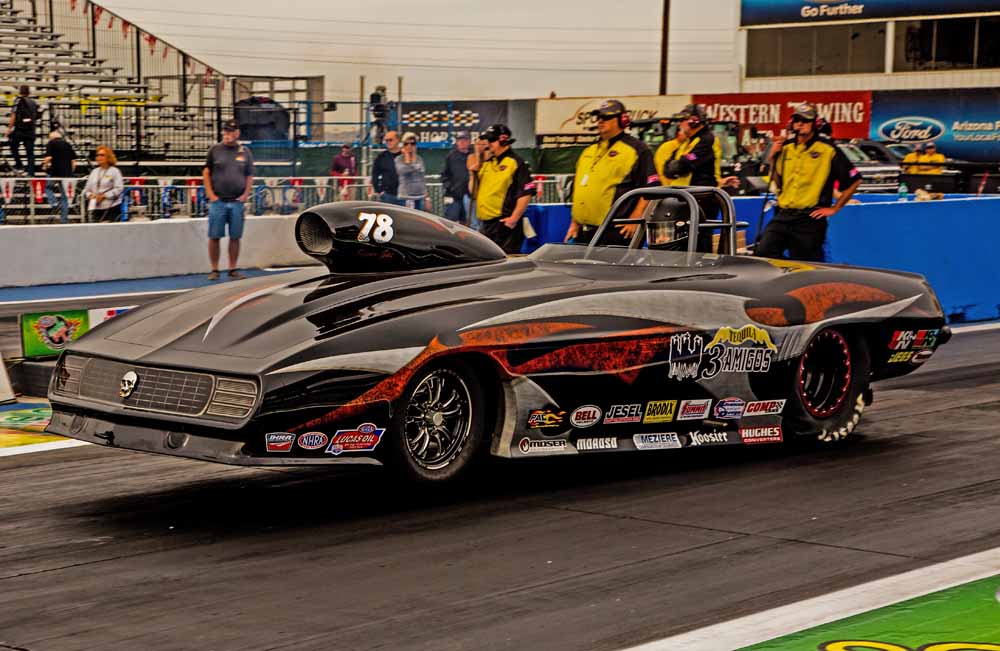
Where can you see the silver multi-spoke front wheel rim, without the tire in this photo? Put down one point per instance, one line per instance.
(438, 419)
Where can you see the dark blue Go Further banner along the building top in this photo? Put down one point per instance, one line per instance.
(756, 13)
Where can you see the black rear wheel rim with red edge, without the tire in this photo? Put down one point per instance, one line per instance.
(825, 374)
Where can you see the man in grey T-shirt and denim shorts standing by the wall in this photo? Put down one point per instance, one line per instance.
(228, 179)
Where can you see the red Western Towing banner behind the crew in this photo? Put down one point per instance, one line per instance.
(849, 112)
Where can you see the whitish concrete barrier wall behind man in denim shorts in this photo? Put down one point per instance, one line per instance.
(71, 253)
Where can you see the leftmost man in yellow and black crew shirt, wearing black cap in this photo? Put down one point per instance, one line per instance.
(505, 190)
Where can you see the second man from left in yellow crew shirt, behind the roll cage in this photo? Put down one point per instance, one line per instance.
(614, 165)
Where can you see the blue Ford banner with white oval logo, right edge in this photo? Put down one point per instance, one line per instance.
(964, 123)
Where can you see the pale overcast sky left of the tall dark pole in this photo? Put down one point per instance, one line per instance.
(442, 48)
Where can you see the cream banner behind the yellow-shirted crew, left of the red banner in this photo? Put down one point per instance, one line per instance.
(567, 122)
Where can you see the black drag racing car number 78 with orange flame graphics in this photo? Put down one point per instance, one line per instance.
(424, 347)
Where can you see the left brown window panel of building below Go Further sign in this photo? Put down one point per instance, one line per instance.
(820, 50)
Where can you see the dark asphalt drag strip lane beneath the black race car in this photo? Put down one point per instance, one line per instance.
(115, 550)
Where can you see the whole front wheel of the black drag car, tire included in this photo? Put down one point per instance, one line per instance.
(440, 424)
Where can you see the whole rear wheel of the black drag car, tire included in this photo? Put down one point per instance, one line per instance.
(831, 384)
